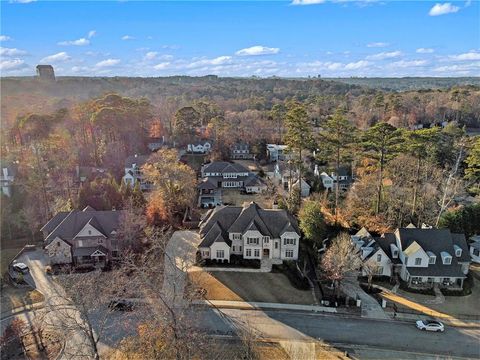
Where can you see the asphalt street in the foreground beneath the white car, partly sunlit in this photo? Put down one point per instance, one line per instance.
(333, 329)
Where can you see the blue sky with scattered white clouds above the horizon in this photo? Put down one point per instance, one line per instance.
(294, 38)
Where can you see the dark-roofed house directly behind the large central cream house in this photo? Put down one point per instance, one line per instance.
(225, 175)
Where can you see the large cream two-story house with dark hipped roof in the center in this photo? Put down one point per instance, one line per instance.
(250, 232)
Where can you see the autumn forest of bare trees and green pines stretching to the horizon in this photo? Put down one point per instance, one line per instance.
(412, 152)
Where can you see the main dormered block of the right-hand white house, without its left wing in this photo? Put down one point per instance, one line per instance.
(432, 256)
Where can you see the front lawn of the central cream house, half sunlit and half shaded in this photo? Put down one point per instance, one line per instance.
(250, 287)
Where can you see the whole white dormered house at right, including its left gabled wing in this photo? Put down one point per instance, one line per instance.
(422, 258)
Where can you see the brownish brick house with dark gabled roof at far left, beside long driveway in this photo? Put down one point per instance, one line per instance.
(85, 239)
